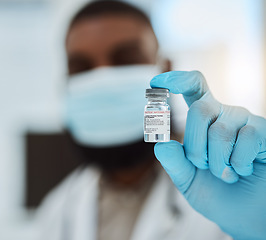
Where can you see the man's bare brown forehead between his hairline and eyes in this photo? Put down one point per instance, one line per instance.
(106, 31)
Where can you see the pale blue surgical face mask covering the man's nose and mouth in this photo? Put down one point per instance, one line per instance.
(104, 107)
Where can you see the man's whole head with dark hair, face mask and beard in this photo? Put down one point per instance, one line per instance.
(104, 39)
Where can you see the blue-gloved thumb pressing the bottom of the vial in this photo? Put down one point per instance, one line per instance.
(172, 157)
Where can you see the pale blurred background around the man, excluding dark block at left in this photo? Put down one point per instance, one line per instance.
(225, 40)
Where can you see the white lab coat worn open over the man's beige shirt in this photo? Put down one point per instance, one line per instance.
(70, 212)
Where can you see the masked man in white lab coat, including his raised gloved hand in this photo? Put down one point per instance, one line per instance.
(121, 193)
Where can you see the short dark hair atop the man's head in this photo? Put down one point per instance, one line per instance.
(105, 7)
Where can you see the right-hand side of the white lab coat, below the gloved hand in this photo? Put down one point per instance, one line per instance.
(167, 215)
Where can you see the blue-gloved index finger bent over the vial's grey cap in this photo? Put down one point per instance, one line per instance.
(192, 85)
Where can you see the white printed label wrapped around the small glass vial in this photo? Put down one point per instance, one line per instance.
(157, 122)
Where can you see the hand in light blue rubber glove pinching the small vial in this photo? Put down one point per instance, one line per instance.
(220, 168)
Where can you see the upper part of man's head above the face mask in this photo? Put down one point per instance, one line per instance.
(109, 33)
